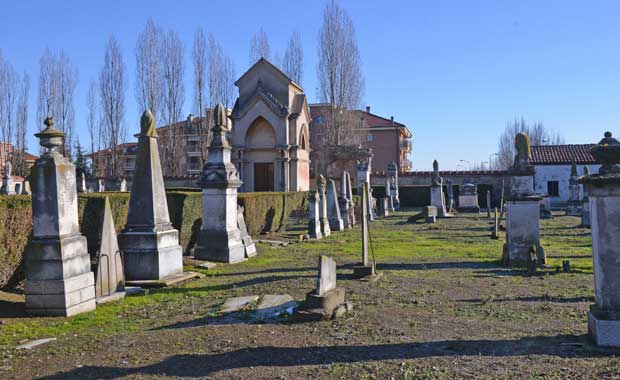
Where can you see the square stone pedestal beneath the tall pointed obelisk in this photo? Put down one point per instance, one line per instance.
(151, 255)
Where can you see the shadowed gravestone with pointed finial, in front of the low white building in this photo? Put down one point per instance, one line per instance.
(522, 209)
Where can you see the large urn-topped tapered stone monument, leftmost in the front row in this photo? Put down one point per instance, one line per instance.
(59, 281)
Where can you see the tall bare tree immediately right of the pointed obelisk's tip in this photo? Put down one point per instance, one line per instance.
(174, 97)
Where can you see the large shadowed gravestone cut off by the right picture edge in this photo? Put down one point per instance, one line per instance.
(603, 191)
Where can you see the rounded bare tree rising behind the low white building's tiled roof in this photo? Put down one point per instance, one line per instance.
(538, 133)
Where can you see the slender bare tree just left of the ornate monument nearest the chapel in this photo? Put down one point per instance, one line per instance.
(199, 59)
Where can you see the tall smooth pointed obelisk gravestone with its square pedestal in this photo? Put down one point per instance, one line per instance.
(149, 243)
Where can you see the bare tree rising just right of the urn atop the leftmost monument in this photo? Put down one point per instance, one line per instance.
(64, 115)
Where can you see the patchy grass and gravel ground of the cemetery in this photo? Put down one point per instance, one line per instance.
(444, 309)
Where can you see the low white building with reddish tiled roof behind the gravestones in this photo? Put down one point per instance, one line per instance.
(553, 167)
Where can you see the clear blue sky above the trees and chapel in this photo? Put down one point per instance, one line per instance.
(454, 71)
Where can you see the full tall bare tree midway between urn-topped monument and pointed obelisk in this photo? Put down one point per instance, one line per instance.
(112, 98)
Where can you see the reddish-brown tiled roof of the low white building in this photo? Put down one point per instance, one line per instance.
(562, 154)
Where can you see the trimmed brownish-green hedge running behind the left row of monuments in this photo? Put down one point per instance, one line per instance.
(264, 212)
